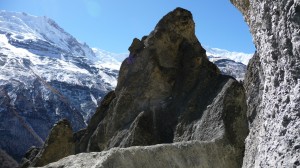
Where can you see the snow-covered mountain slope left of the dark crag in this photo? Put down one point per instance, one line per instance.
(46, 75)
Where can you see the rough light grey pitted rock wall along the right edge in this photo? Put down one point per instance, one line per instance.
(273, 83)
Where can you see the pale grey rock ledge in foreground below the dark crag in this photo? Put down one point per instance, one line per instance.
(192, 154)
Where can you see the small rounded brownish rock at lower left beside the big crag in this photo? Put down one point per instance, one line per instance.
(59, 144)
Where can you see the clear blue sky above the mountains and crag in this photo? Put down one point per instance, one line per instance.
(112, 24)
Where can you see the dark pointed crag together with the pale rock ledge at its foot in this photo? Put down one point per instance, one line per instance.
(167, 92)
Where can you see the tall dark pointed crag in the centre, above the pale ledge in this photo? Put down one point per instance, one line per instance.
(167, 92)
